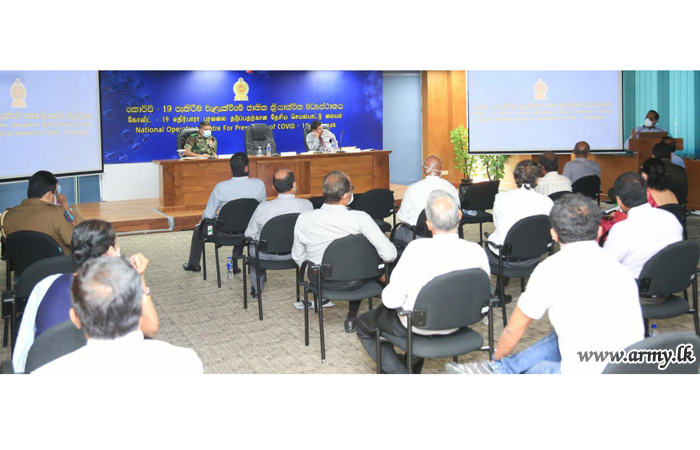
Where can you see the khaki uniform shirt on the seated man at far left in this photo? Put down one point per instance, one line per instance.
(37, 215)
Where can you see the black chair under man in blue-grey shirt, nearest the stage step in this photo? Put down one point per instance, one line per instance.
(227, 230)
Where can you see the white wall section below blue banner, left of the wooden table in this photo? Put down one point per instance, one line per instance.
(129, 181)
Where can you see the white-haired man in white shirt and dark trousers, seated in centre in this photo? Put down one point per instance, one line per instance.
(412, 272)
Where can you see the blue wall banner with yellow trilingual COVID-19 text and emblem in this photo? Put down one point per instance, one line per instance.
(142, 111)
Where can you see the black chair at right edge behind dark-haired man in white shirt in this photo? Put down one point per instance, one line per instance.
(671, 270)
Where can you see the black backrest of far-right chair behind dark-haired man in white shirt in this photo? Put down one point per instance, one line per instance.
(670, 270)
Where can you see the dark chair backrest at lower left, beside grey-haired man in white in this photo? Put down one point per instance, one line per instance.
(57, 341)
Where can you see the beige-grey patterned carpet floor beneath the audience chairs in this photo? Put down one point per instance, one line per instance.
(229, 339)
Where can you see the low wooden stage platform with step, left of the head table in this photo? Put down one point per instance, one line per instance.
(142, 216)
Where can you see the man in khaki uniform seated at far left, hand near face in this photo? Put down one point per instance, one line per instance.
(45, 211)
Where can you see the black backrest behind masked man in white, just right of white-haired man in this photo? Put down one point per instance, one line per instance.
(528, 238)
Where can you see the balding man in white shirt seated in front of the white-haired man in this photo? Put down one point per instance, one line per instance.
(417, 195)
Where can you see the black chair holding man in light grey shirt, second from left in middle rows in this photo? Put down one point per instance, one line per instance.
(277, 238)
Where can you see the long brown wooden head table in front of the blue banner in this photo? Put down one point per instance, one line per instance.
(186, 185)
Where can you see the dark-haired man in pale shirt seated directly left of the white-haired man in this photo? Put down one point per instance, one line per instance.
(316, 230)
